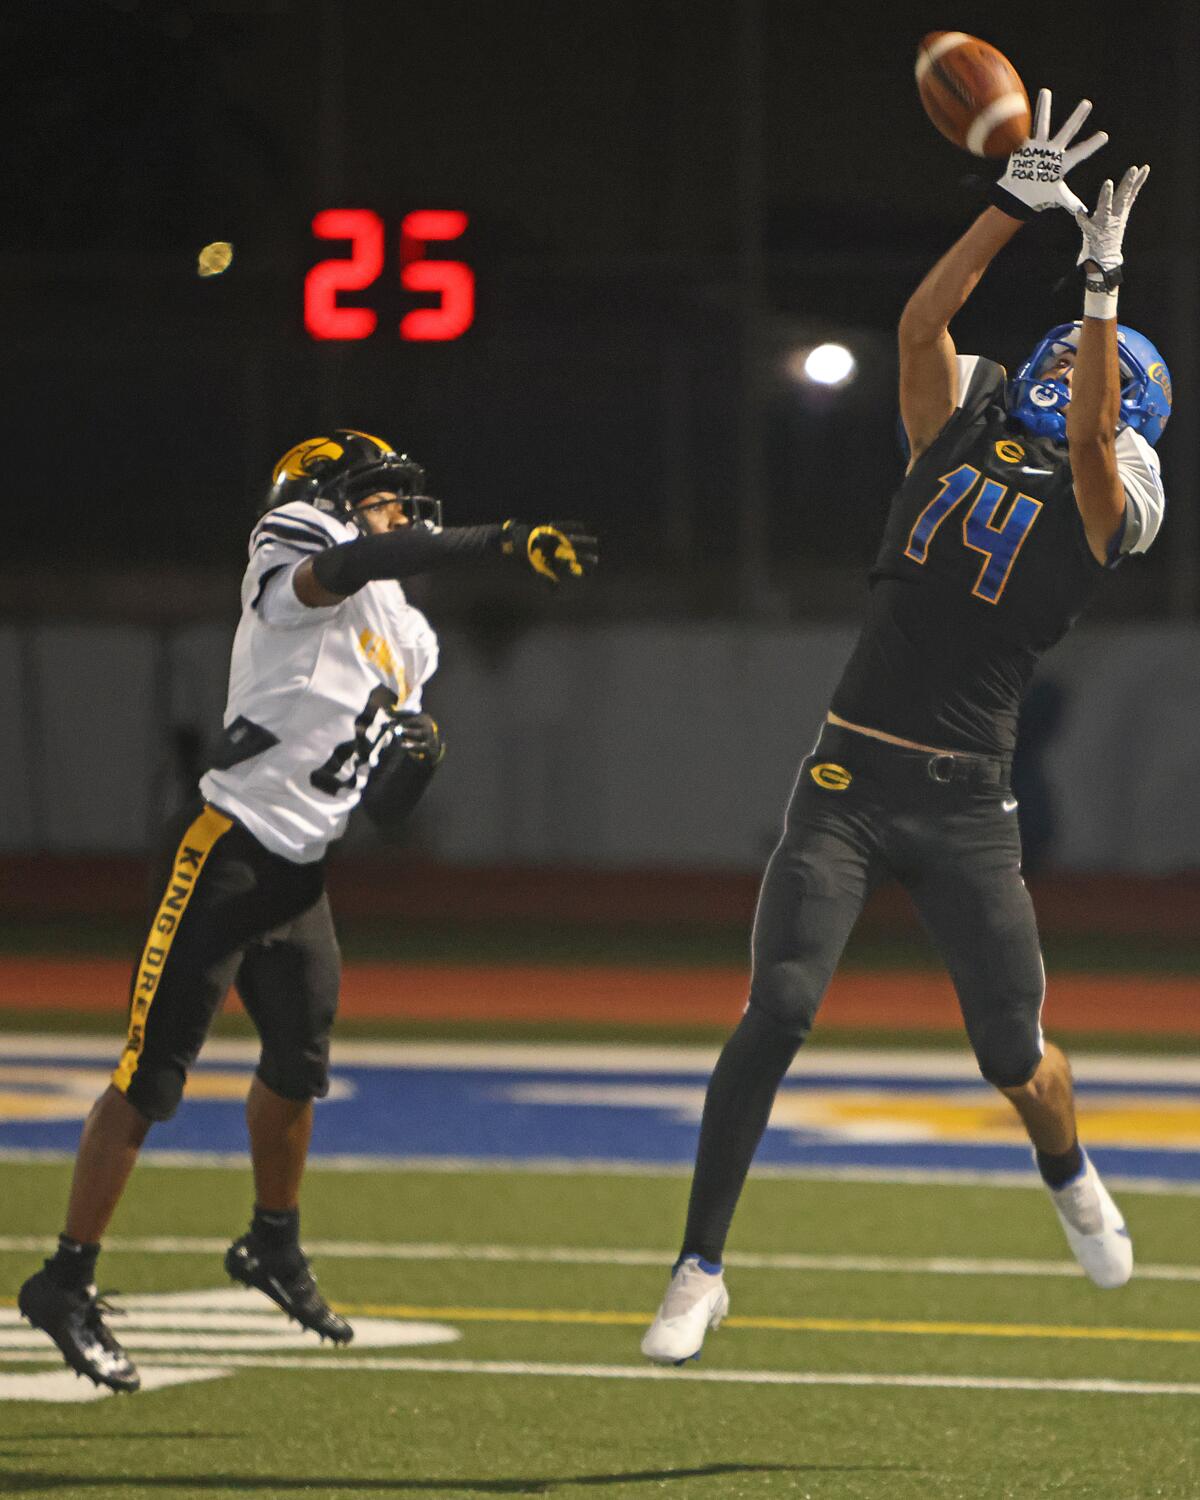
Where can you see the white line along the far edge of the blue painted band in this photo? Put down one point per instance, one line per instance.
(622, 1058)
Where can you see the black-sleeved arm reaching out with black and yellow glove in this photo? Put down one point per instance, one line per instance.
(556, 551)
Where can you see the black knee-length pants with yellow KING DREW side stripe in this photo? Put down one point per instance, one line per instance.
(224, 910)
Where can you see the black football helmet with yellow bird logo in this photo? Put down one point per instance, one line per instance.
(334, 473)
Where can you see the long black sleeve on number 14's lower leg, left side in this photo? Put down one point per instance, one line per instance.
(736, 1111)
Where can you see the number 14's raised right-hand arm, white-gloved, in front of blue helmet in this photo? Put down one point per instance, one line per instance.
(1096, 383)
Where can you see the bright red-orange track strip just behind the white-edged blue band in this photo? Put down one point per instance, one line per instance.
(632, 997)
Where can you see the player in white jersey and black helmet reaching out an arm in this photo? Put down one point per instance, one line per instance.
(325, 712)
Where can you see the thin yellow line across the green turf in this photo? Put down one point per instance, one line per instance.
(787, 1325)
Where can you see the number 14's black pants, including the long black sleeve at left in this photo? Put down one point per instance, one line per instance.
(865, 812)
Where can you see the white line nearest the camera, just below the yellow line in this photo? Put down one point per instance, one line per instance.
(349, 1364)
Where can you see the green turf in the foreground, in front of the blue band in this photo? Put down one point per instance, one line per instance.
(490, 1256)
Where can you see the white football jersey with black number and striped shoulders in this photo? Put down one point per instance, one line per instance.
(313, 692)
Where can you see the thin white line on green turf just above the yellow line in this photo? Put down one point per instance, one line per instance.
(580, 1256)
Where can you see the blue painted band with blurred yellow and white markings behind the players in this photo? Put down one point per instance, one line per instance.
(836, 1111)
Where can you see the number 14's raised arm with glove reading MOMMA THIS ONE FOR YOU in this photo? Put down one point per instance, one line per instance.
(1034, 181)
